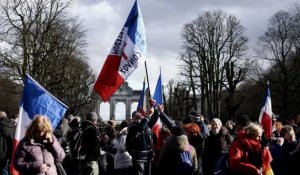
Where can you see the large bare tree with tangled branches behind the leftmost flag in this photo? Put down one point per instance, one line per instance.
(42, 40)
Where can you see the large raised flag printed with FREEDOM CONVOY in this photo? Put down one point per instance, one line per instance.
(127, 53)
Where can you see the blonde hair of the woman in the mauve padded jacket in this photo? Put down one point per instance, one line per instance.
(40, 123)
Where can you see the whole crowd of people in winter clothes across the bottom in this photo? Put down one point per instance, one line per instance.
(133, 148)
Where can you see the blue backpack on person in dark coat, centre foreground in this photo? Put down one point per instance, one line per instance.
(185, 165)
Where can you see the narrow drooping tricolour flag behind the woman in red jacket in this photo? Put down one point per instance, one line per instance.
(265, 117)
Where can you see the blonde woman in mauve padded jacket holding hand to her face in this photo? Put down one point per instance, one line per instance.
(38, 151)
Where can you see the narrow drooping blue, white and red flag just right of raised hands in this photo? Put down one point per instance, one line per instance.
(158, 97)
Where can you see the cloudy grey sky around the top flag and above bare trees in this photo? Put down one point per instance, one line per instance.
(164, 19)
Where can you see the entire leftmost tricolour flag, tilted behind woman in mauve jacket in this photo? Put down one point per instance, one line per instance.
(36, 100)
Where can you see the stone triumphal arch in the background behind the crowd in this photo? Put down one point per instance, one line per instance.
(124, 94)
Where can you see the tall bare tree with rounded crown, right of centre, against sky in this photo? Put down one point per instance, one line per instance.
(214, 38)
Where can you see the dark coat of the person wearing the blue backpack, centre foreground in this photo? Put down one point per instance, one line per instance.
(169, 155)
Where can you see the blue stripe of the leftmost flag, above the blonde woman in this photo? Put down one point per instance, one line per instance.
(37, 100)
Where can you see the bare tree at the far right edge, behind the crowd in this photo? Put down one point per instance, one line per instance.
(280, 46)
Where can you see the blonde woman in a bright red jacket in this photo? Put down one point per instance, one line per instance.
(247, 156)
